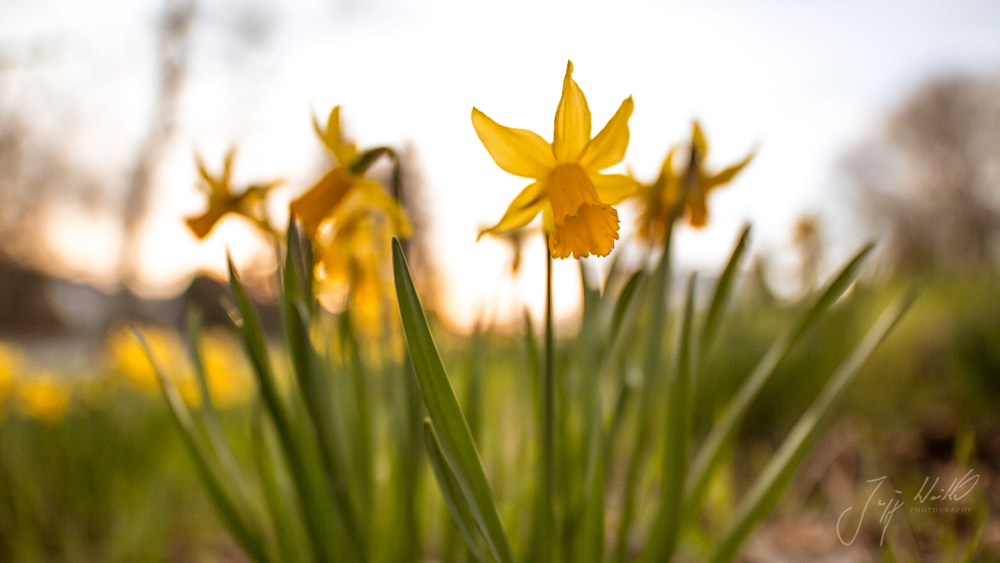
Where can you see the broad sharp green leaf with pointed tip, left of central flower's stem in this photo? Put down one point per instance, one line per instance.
(439, 398)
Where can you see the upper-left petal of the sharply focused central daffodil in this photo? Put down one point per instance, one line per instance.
(518, 151)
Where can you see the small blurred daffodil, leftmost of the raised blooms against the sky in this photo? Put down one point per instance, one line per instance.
(222, 200)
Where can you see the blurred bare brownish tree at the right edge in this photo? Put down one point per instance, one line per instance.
(928, 184)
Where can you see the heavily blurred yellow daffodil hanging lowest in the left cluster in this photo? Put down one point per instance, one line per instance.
(353, 264)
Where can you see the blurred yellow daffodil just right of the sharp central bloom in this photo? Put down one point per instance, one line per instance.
(673, 193)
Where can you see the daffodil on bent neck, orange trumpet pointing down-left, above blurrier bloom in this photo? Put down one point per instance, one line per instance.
(321, 201)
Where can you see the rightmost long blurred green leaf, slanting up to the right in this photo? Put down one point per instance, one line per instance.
(767, 488)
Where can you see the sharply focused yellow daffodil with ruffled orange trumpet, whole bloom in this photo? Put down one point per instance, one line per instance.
(574, 199)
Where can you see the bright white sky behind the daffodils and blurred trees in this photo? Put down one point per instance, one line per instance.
(805, 80)
